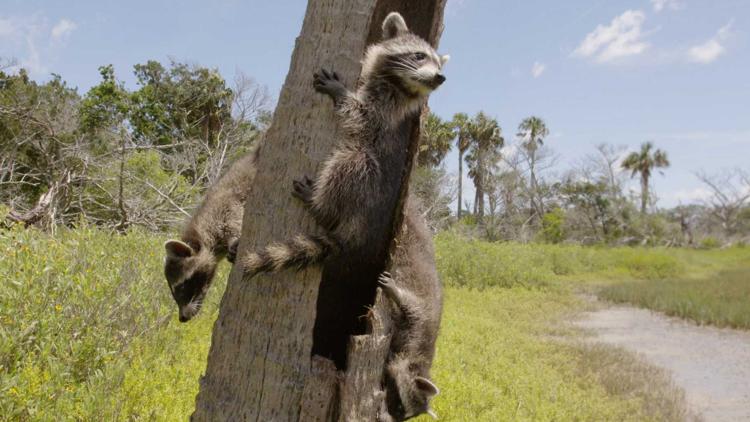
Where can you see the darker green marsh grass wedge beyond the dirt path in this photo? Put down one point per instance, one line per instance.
(722, 299)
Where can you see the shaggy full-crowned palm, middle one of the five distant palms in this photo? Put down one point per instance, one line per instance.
(484, 153)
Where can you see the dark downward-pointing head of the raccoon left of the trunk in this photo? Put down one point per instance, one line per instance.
(189, 274)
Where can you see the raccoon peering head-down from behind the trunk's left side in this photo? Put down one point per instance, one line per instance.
(211, 234)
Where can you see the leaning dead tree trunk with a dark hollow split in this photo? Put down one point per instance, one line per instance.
(260, 366)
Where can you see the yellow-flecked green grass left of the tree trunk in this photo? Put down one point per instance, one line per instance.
(79, 313)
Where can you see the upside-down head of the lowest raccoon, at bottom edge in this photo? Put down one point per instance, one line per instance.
(406, 395)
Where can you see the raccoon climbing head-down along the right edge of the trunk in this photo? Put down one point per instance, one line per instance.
(416, 300)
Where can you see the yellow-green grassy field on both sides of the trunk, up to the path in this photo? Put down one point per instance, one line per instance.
(88, 331)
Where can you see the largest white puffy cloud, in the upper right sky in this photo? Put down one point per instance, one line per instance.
(622, 38)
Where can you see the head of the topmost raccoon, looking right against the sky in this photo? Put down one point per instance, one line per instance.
(405, 59)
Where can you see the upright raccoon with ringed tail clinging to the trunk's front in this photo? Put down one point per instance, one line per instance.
(359, 180)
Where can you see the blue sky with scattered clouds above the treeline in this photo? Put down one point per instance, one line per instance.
(675, 72)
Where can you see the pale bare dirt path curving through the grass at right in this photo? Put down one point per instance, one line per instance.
(712, 365)
